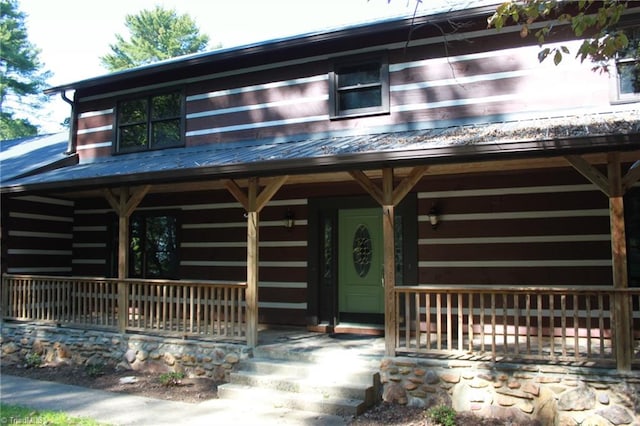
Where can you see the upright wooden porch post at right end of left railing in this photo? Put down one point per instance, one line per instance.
(252, 264)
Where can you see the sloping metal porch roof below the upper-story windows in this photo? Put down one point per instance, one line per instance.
(580, 132)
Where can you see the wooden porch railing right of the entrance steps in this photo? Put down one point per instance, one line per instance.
(513, 323)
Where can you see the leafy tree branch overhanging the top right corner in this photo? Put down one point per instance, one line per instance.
(597, 21)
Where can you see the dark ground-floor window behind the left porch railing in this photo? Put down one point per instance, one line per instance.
(153, 246)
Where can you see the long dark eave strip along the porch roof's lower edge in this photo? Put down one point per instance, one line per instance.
(503, 150)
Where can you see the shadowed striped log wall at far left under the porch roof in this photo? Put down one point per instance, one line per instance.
(39, 235)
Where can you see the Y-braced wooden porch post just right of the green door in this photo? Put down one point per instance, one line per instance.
(389, 197)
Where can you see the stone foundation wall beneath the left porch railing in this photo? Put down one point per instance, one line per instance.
(58, 345)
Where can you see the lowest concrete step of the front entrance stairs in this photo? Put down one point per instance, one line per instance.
(318, 403)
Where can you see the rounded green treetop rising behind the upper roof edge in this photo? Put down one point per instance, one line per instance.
(154, 35)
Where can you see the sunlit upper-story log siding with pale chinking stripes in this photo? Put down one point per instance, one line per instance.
(468, 86)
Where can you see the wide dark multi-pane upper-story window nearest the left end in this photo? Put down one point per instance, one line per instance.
(150, 122)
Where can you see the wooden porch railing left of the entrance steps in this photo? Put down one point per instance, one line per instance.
(208, 309)
